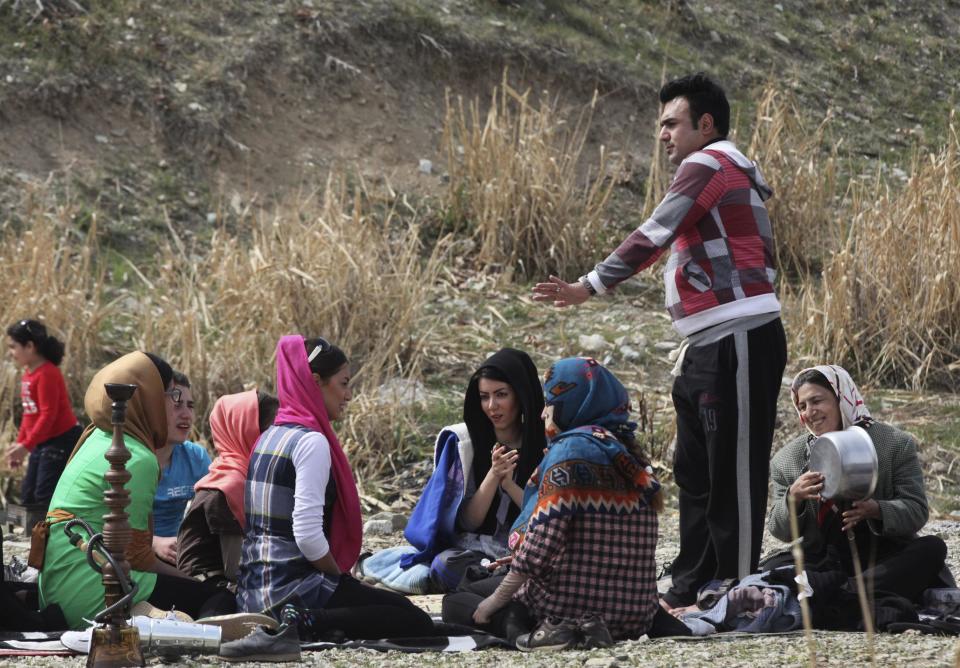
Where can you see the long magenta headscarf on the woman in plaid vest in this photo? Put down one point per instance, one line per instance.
(302, 403)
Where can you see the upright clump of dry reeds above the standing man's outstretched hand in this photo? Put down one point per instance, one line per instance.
(514, 182)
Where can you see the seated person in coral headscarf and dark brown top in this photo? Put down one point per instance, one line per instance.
(212, 530)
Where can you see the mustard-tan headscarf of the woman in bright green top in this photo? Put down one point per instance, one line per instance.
(145, 420)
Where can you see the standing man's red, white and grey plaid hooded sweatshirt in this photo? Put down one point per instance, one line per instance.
(714, 221)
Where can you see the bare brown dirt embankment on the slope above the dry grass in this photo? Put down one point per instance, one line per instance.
(298, 102)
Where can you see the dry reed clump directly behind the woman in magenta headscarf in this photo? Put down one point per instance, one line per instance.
(331, 264)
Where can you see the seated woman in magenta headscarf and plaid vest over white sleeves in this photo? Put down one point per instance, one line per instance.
(302, 509)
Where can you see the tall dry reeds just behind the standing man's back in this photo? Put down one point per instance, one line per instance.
(803, 178)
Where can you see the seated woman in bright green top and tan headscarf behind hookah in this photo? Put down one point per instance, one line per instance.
(66, 578)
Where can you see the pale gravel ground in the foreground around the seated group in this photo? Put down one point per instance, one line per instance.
(833, 649)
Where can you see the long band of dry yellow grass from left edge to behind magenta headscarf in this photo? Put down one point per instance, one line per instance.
(332, 263)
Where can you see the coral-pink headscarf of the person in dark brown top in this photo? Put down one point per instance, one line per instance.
(234, 423)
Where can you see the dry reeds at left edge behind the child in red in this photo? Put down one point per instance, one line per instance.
(52, 277)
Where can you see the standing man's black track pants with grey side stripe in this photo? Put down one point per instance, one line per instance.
(726, 405)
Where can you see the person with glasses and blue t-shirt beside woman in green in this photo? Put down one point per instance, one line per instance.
(182, 464)
